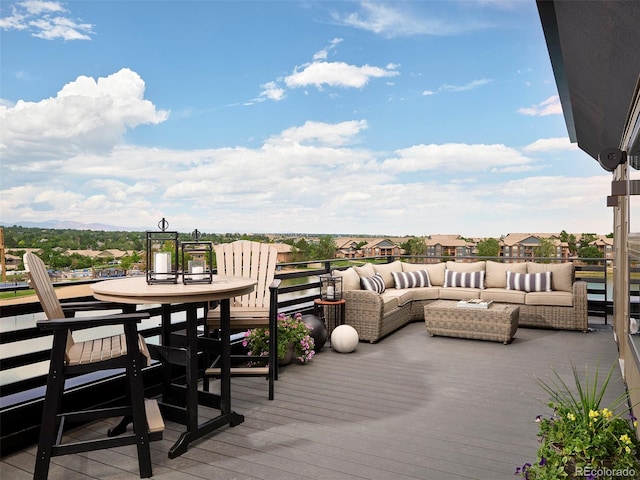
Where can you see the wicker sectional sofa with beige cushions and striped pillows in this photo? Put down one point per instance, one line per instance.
(561, 305)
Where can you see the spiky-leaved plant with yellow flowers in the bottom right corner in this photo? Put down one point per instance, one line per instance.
(582, 440)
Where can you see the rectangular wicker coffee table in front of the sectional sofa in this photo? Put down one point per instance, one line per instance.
(497, 323)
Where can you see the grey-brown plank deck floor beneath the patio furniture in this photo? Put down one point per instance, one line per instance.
(408, 407)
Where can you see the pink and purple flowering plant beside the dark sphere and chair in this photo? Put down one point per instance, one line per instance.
(291, 331)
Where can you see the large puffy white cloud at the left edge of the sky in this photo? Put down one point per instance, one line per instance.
(86, 116)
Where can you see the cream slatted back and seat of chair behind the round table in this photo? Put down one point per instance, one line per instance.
(248, 259)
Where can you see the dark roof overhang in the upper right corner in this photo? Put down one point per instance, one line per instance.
(594, 48)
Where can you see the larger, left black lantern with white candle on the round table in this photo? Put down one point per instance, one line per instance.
(162, 255)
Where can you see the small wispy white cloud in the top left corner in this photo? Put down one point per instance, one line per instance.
(47, 20)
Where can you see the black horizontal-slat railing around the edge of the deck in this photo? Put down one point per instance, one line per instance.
(25, 349)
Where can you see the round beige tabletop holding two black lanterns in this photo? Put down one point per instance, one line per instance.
(135, 290)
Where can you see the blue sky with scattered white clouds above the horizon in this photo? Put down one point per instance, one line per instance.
(361, 117)
